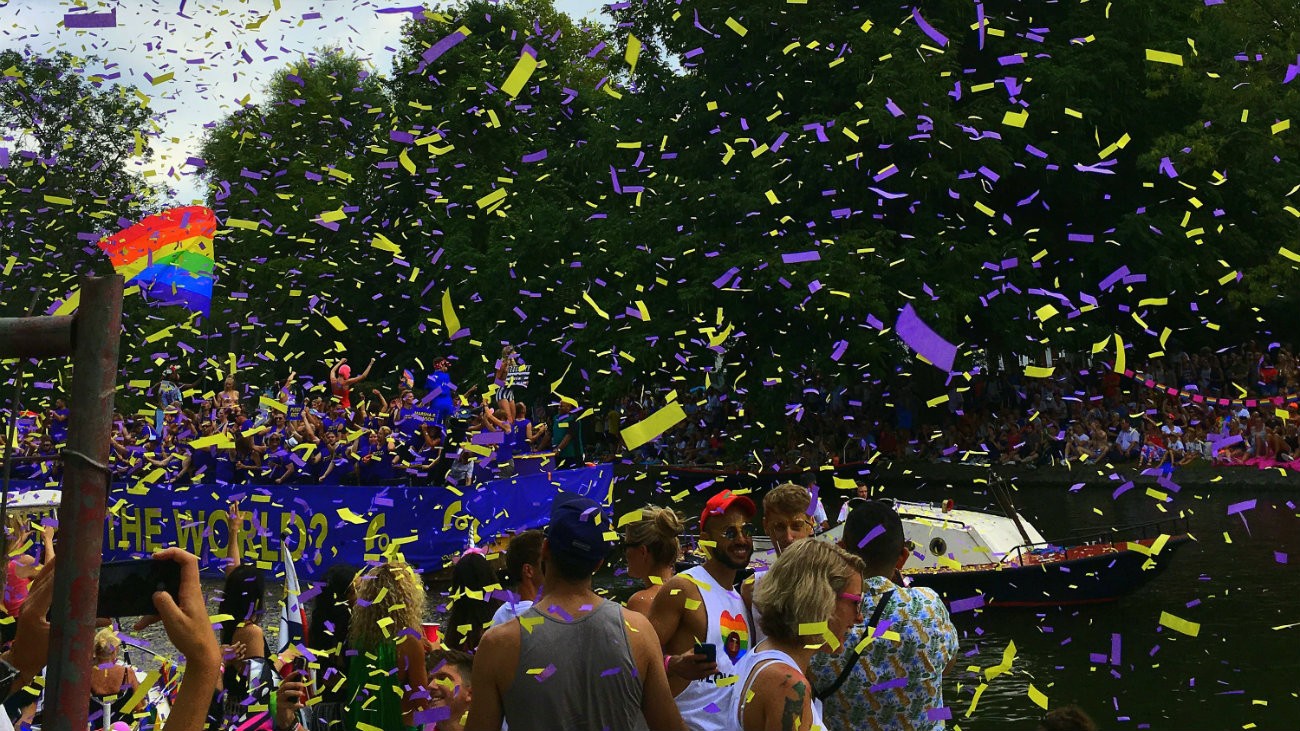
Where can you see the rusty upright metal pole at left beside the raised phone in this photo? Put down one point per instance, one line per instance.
(85, 503)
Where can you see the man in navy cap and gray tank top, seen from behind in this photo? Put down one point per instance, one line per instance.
(601, 663)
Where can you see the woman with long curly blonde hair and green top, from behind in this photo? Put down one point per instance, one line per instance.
(387, 677)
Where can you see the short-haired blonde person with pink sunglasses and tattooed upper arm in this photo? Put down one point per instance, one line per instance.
(809, 600)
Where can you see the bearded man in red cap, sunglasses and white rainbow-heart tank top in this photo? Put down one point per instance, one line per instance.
(703, 607)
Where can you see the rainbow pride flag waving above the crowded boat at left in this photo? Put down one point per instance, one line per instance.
(168, 256)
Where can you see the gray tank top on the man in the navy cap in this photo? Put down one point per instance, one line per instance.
(575, 676)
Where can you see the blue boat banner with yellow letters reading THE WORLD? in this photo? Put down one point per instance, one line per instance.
(327, 525)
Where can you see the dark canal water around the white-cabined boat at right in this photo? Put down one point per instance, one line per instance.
(1237, 583)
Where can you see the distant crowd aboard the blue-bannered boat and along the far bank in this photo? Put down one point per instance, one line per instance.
(1167, 413)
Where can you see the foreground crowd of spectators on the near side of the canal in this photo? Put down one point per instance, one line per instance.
(736, 642)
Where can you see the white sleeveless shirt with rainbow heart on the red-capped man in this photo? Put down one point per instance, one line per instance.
(701, 703)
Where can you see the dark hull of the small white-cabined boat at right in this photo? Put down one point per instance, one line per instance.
(1077, 578)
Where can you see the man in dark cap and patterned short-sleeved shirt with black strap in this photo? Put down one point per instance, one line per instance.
(894, 684)
